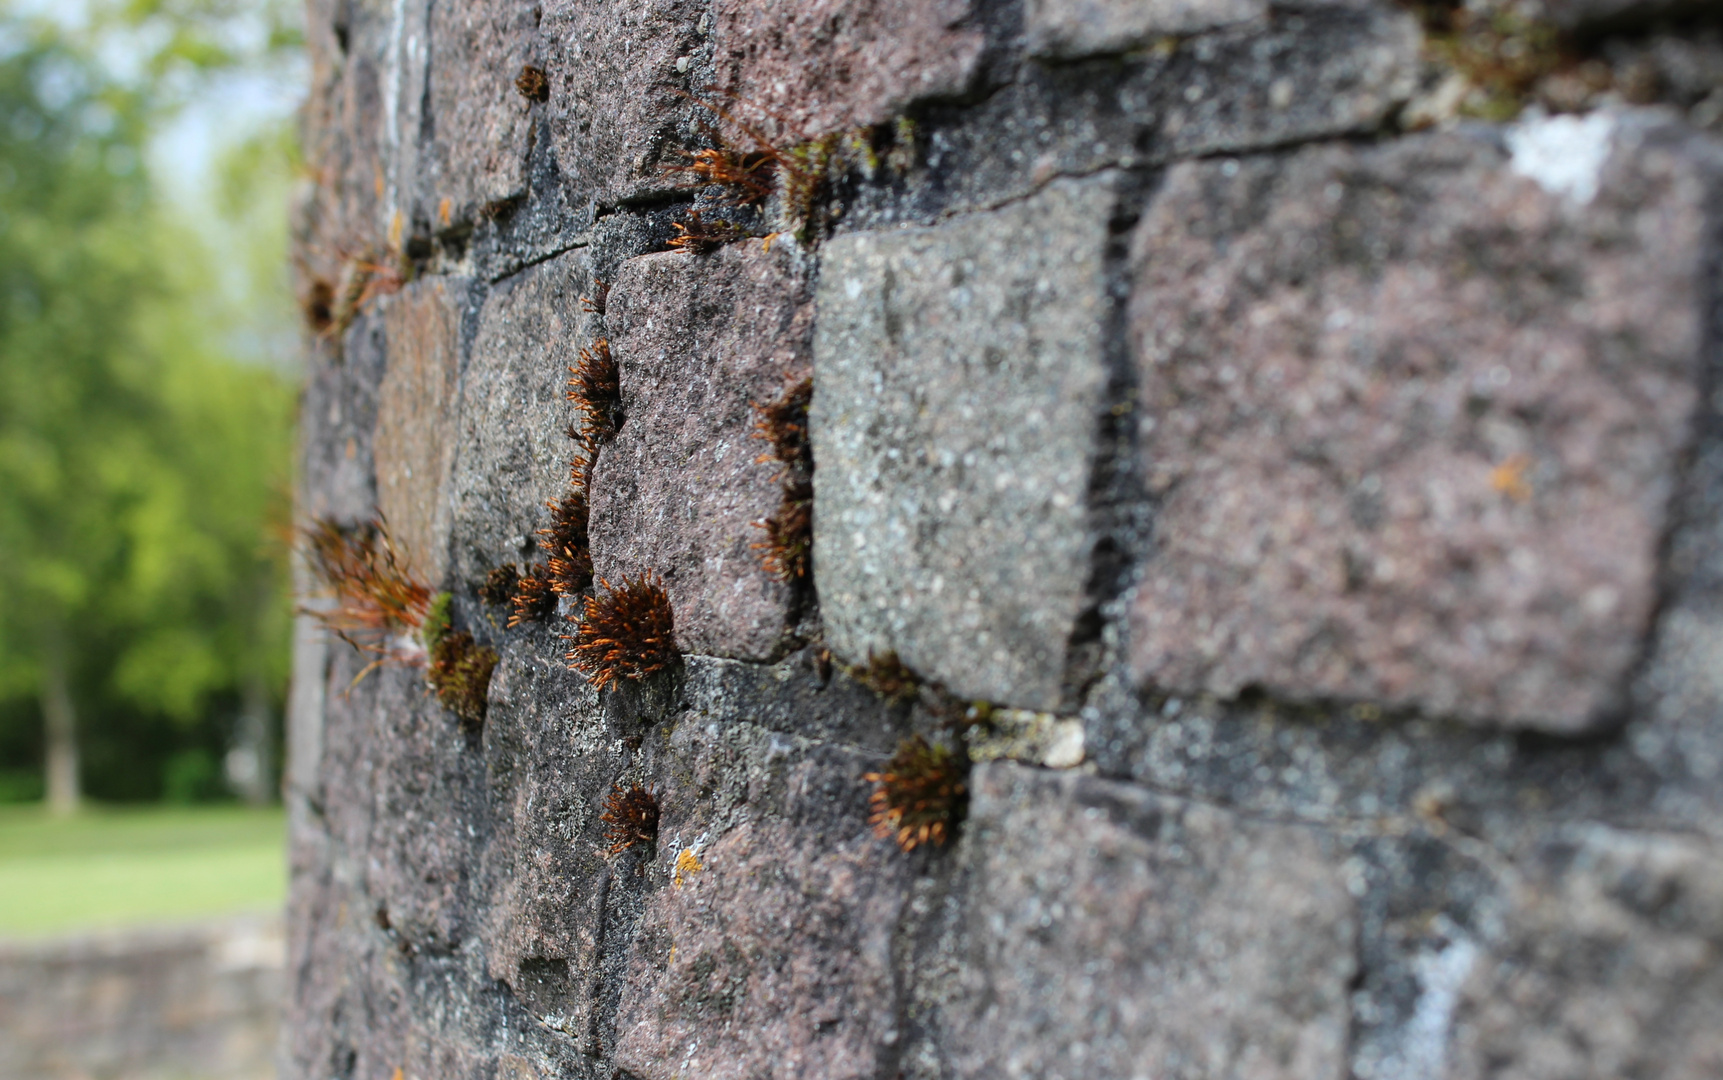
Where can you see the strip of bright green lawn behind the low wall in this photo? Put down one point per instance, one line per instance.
(111, 867)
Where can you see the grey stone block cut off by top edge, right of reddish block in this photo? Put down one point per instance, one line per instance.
(1079, 28)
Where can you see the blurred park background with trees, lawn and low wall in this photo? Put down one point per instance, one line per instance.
(149, 349)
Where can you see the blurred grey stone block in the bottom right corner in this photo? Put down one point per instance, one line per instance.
(1610, 967)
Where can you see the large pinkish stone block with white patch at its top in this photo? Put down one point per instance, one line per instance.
(1414, 416)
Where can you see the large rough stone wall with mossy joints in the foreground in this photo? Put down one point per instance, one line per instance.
(1279, 440)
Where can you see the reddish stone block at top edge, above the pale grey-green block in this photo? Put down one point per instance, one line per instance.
(838, 65)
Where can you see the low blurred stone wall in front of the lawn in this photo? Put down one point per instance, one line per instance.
(199, 1003)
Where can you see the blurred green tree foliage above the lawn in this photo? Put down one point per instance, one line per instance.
(144, 473)
